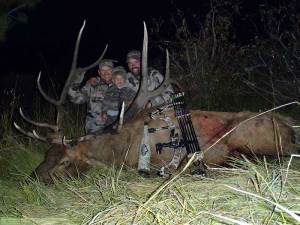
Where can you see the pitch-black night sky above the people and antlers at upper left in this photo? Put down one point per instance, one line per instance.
(47, 41)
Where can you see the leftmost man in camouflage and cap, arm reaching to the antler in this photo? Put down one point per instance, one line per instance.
(93, 93)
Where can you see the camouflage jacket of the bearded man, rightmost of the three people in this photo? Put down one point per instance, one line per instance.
(155, 78)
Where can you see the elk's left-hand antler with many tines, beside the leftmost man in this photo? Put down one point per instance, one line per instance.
(75, 71)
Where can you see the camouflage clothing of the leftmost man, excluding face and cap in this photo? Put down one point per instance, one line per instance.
(93, 95)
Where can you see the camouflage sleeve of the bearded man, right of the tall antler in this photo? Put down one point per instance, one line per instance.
(165, 96)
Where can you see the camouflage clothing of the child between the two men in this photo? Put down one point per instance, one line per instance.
(113, 99)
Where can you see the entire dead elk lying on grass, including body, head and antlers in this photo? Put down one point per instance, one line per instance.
(263, 135)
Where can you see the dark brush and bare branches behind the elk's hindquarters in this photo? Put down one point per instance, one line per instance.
(235, 58)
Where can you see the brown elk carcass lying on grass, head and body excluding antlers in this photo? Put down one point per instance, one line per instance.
(264, 135)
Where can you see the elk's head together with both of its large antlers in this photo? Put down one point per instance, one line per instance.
(68, 157)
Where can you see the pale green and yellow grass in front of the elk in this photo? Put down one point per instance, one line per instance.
(264, 192)
